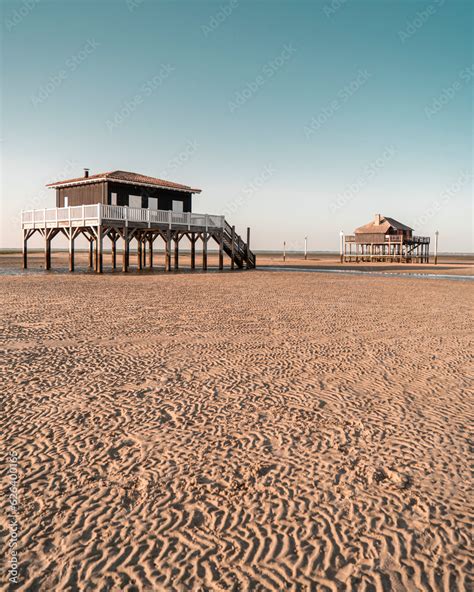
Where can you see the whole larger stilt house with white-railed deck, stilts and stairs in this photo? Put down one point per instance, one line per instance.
(123, 206)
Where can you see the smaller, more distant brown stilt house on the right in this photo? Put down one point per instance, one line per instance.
(385, 239)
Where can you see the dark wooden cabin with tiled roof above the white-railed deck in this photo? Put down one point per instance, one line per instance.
(122, 188)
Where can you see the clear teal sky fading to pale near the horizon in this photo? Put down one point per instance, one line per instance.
(295, 118)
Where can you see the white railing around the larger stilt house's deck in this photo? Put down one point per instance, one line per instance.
(98, 213)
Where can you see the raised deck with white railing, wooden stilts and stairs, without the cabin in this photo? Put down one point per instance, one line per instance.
(97, 222)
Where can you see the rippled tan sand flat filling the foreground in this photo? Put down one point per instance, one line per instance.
(238, 431)
